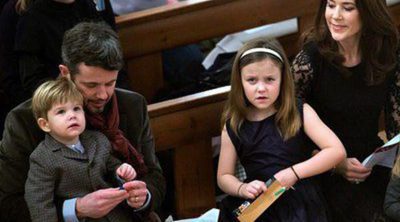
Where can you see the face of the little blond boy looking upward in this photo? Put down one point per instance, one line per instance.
(65, 122)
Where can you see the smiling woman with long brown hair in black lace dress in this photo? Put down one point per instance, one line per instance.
(348, 72)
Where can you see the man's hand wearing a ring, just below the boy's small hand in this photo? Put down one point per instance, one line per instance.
(137, 193)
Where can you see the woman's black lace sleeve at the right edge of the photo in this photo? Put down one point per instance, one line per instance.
(392, 109)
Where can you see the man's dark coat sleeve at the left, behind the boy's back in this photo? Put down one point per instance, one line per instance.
(21, 135)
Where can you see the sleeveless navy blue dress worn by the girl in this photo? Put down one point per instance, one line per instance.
(263, 153)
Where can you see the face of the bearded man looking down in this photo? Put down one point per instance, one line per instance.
(96, 85)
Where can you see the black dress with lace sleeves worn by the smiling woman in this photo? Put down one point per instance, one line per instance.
(351, 109)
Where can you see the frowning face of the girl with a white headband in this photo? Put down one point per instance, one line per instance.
(261, 83)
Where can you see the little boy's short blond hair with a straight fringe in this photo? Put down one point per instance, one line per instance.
(54, 92)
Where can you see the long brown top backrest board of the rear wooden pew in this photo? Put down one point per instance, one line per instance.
(192, 23)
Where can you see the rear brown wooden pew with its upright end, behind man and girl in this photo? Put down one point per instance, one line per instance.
(144, 35)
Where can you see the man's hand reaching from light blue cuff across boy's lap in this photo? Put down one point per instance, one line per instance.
(99, 203)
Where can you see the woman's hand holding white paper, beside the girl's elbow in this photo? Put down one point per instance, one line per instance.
(353, 170)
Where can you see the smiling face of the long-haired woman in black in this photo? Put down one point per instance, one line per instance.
(343, 20)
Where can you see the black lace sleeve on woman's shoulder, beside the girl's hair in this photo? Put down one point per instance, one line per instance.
(303, 75)
